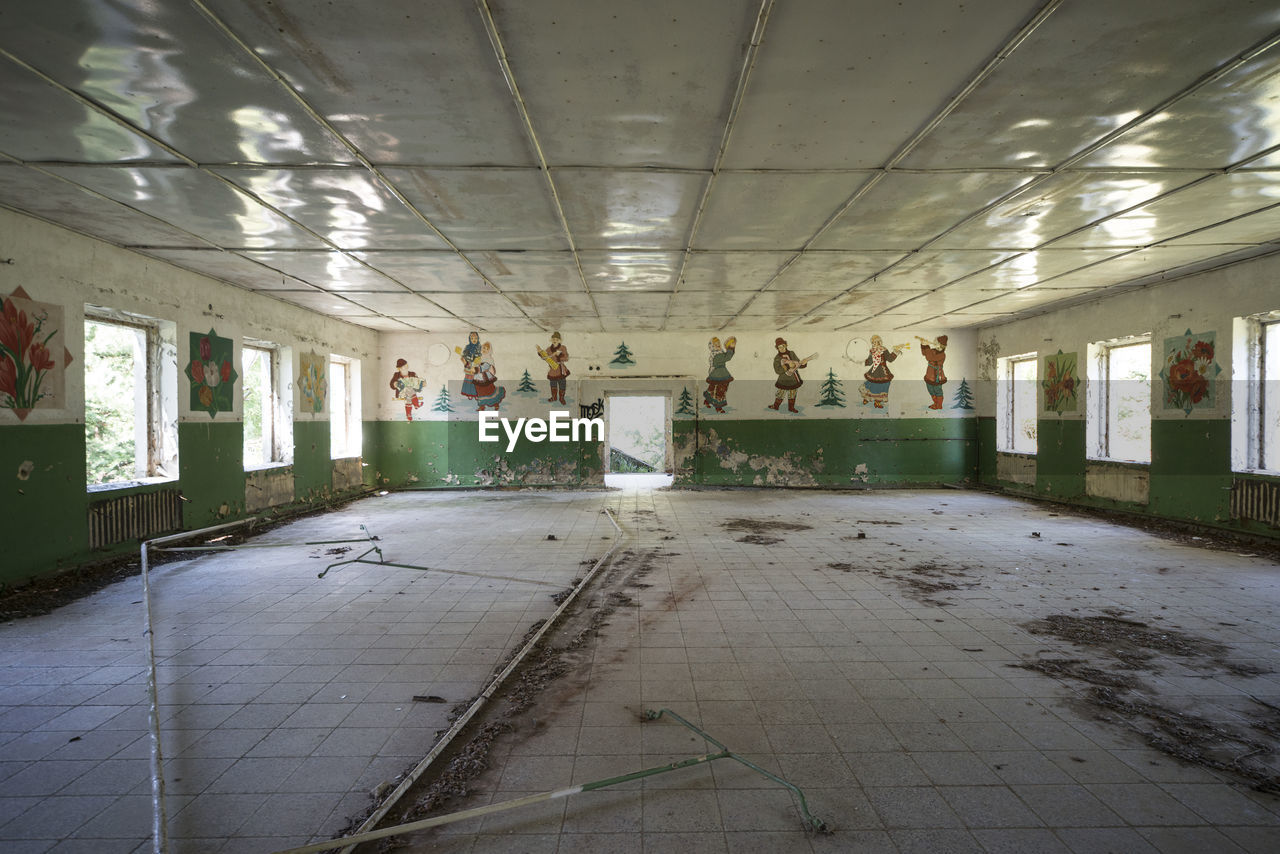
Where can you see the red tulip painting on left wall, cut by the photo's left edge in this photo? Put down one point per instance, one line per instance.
(33, 357)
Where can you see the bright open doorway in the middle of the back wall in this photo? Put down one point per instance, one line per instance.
(639, 432)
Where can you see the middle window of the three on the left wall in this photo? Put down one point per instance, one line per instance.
(267, 418)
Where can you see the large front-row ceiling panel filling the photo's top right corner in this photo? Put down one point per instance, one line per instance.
(1086, 72)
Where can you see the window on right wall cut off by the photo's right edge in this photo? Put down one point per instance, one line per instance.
(1256, 394)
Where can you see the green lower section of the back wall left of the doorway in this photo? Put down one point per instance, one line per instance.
(449, 454)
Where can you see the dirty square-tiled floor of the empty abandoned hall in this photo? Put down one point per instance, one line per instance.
(877, 674)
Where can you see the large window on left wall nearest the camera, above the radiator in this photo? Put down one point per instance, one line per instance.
(131, 399)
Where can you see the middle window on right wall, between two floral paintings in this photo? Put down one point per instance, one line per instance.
(1119, 401)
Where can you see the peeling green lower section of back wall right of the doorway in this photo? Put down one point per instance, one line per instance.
(830, 453)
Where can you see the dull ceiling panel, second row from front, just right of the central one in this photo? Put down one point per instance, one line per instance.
(758, 211)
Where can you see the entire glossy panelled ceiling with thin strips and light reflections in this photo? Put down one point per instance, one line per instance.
(669, 165)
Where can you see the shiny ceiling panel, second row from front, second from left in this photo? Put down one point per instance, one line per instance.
(195, 202)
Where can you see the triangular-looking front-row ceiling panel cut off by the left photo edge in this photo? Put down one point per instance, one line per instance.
(43, 122)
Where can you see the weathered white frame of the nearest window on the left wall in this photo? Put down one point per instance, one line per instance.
(157, 444)
